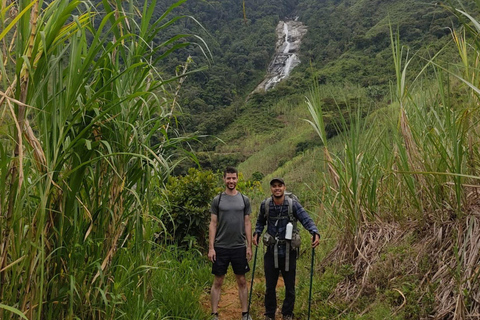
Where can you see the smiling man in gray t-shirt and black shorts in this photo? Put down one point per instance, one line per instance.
(230, 240)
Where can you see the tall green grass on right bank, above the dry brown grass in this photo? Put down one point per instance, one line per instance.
(422, 165)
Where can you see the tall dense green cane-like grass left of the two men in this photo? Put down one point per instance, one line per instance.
(82, 101)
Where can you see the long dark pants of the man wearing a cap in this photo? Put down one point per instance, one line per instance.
(271, 279)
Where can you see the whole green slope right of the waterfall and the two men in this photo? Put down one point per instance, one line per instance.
(390, 165)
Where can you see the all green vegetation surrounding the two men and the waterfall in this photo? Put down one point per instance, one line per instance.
(376, 132)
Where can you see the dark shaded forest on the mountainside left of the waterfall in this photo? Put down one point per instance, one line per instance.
(242, 41)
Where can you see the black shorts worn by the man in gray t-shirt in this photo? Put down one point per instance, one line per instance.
(237, 257)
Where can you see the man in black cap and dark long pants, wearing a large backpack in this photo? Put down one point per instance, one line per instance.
(277, 212)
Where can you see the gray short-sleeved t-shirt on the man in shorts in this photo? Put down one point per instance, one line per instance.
(231, 220)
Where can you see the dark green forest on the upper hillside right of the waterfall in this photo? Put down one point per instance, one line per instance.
(349, 40)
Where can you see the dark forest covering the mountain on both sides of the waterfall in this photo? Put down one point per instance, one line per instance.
(347, 41)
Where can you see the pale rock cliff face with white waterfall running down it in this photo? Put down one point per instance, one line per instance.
(289, 35)
